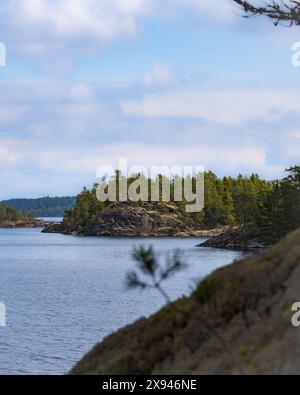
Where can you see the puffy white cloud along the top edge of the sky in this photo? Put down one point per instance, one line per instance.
(47, 25)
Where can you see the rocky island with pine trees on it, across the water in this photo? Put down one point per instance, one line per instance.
(239, 213)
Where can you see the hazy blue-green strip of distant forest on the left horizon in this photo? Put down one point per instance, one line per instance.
(43, 207)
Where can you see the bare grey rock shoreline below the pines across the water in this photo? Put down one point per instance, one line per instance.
(128, 220)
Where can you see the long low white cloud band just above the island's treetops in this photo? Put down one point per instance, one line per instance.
(227, 159)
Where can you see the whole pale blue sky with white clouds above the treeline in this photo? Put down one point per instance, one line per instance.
(160, 82)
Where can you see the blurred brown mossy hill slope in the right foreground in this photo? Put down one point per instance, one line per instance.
(237, 321)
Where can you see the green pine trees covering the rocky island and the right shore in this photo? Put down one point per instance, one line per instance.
(267, 210)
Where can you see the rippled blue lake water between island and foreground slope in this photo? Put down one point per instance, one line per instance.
(63, 294)
